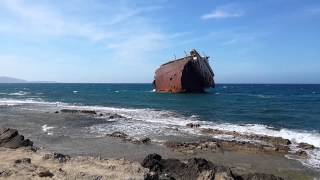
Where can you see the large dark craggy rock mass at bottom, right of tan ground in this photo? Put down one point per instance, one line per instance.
(194, 168)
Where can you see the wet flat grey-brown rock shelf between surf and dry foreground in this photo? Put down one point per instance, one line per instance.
(240, 156)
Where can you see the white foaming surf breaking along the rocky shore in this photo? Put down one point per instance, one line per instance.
(143, 122)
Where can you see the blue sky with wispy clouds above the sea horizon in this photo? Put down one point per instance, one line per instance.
(124, 41)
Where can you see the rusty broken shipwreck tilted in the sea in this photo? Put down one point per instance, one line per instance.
(191, 73)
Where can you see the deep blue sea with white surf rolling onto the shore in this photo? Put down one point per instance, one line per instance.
(291, 111)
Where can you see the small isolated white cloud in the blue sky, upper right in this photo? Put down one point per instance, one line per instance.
(226, 11)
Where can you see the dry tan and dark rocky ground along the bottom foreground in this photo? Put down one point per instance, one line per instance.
(21, 160)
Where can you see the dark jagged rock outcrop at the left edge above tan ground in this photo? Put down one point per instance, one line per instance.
(10, 138)
